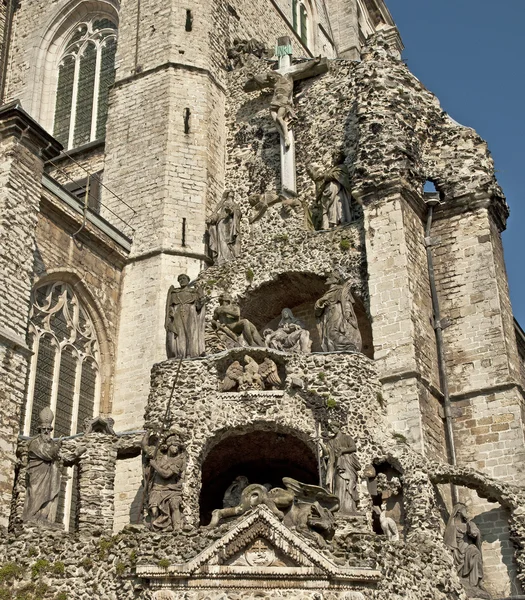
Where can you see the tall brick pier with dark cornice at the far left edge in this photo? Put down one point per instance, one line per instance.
(24, 146)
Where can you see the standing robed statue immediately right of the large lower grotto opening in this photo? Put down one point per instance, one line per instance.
(341, 468)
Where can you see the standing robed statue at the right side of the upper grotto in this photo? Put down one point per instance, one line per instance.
(336, 320)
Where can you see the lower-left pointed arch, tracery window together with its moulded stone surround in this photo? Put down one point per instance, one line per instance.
(71, 364)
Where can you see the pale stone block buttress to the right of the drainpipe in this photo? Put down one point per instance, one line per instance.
(482, 357)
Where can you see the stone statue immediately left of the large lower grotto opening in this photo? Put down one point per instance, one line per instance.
(163, 475)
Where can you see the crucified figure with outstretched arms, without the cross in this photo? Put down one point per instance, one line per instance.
(281, 105)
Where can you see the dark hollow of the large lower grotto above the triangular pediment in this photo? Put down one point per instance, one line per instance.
(263, 457)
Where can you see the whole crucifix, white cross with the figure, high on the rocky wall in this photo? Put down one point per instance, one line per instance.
(281, 106)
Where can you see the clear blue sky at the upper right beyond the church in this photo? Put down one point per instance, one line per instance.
(471, 54)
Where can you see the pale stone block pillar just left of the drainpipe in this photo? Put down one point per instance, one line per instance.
(401, 311)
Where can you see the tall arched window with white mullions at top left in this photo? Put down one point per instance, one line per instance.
(85, 74)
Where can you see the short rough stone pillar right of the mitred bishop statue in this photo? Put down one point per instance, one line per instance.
(96, 483)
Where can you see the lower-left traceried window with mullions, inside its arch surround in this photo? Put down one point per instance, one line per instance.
(65, 365)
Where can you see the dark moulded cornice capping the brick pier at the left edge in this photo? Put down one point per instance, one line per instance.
(15, 122)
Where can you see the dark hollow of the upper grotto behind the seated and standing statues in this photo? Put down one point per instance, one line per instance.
(298, 291)
